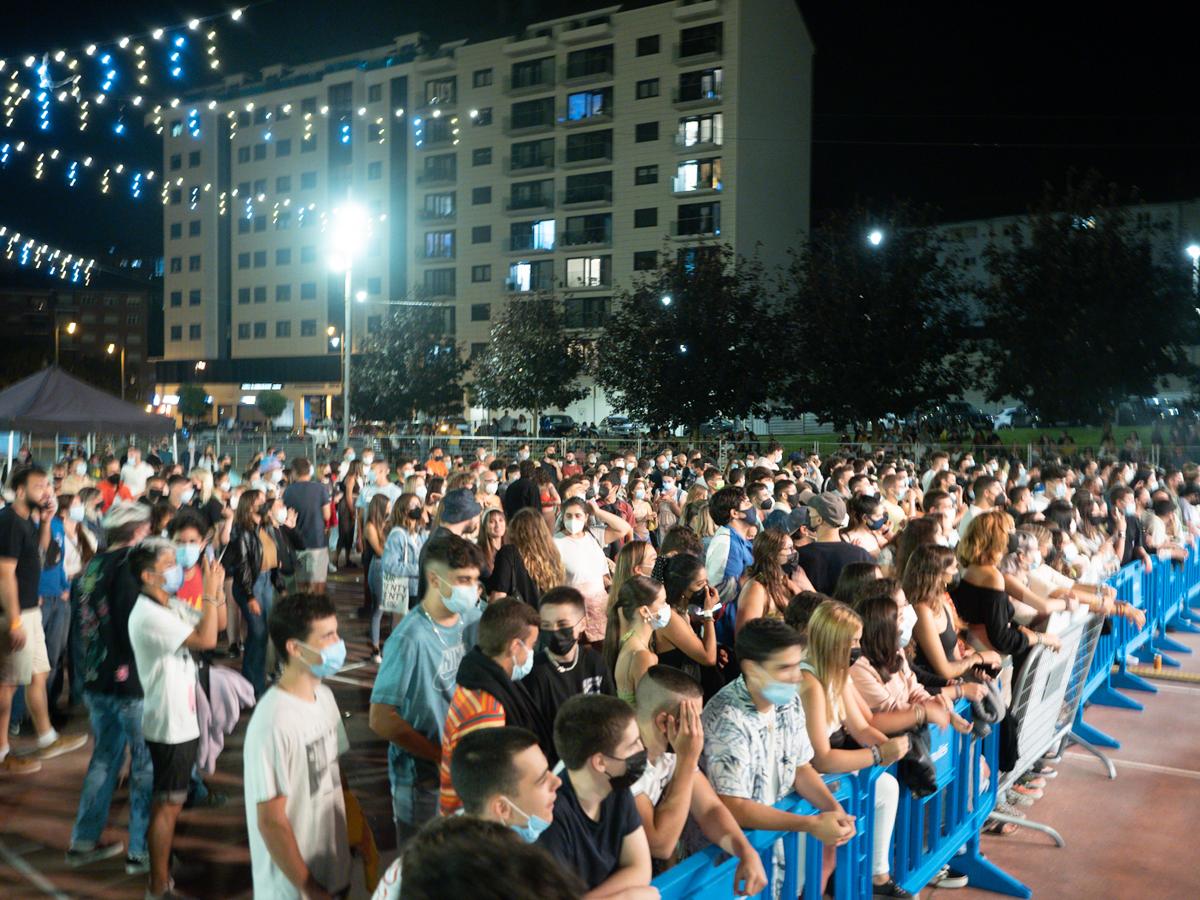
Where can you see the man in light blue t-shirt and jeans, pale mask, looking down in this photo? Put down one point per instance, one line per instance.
(417, 681)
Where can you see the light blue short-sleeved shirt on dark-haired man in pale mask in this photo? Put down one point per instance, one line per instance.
(421, 663)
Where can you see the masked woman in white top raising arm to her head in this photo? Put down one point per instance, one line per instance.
(583, 553)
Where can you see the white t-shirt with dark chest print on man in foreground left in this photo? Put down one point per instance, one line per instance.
(291, 751)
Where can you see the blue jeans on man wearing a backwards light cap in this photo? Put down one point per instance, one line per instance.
(117, 724)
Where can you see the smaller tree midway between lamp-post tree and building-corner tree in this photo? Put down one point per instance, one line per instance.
(531, 363)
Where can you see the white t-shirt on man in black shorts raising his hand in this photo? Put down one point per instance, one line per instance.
(166, 671)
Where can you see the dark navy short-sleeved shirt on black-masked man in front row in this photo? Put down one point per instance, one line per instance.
(591, 849)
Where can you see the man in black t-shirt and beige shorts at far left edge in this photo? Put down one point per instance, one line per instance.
(23, 656)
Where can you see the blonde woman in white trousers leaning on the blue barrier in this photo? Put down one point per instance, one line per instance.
(831, 704)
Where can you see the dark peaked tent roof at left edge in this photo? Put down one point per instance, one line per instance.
(53, 401)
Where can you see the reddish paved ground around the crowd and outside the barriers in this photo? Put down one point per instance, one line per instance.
(1131, 838)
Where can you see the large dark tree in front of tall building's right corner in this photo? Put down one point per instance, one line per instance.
(691, 341)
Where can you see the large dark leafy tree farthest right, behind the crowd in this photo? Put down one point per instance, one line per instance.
(1079, 311)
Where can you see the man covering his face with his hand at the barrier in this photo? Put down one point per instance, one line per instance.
(669, 705)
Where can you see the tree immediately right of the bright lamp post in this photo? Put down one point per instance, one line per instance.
(412, 365)
